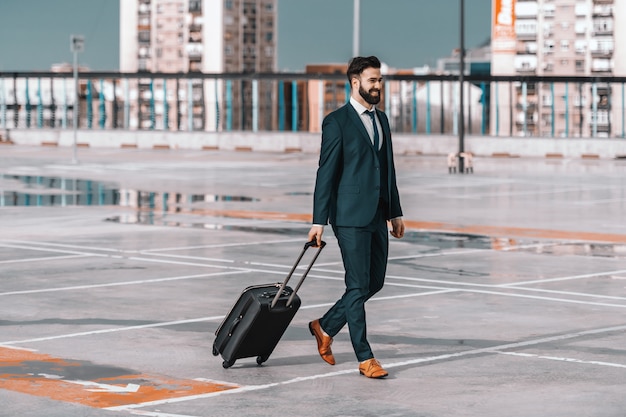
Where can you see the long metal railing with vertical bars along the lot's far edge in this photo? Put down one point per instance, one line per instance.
(419, 104)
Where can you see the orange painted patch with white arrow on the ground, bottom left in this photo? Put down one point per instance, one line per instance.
(90, 384)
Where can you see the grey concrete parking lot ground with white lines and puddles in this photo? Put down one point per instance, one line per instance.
(507, 296)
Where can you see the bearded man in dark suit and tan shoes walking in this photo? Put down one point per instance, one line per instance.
(355, 190)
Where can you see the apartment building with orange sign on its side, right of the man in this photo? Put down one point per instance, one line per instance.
(574, 38)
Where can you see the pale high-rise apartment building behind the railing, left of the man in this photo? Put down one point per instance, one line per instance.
(206, 36)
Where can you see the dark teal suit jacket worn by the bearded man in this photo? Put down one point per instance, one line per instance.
(347, 186)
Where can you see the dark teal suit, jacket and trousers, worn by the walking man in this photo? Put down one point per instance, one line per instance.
(356, 192)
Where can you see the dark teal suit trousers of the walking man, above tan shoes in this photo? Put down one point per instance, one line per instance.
(364, 251)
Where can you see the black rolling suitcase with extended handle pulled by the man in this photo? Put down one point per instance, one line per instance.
(259, 318)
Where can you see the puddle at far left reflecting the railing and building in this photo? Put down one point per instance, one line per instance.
(34, 190)
